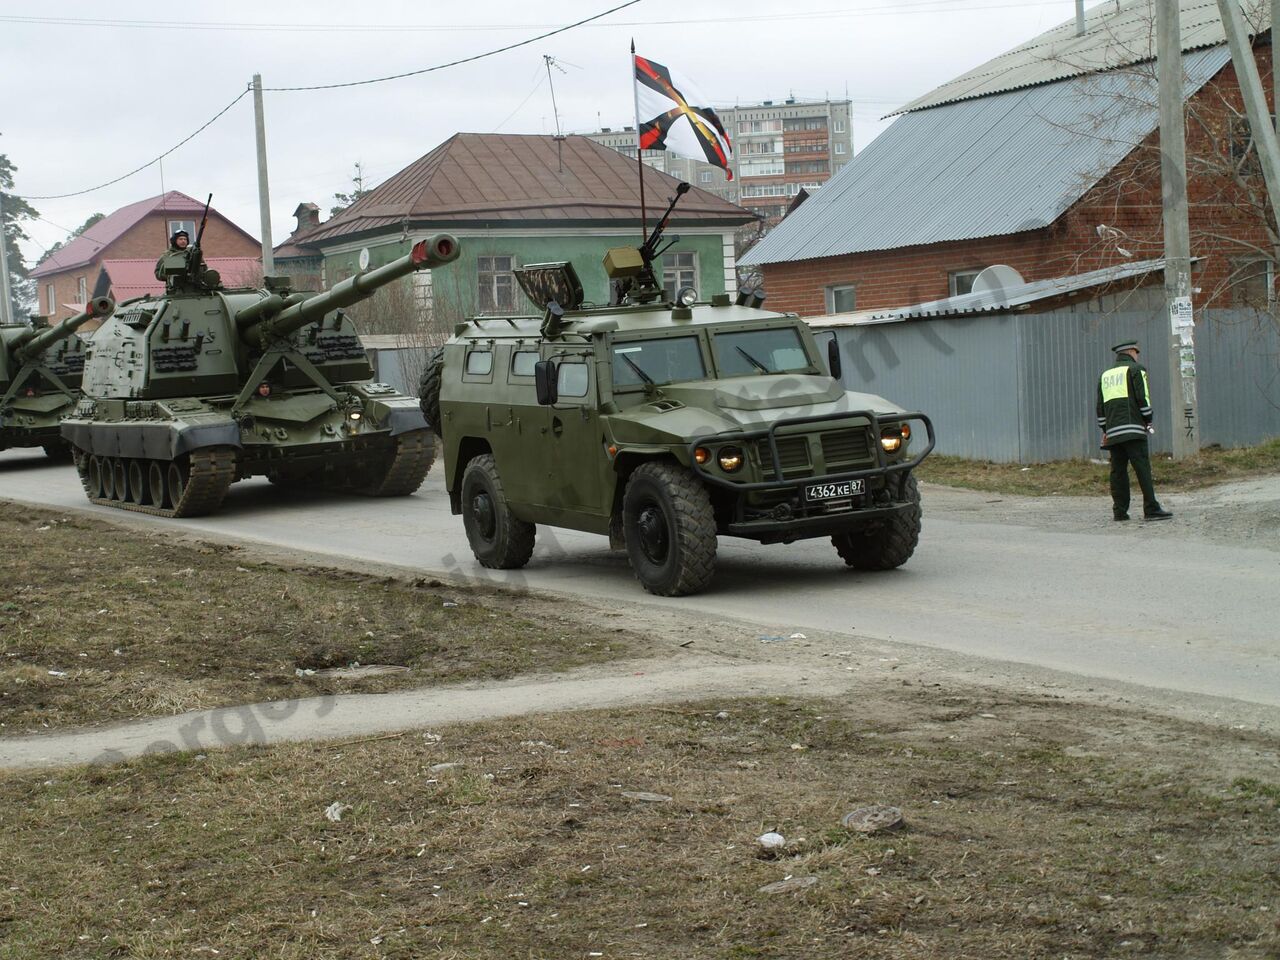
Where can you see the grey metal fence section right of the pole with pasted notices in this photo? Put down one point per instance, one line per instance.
(1238, 378)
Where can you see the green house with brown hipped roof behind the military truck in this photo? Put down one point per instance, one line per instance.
(513, 200)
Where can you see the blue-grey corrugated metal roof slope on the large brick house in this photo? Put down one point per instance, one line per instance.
(979, 168)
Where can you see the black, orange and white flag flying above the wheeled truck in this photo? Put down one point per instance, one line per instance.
(671, 116)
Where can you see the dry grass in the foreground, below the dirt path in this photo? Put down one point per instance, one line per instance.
(1016, 845)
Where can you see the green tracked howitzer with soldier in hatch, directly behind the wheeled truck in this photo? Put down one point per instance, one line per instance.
(189, 392)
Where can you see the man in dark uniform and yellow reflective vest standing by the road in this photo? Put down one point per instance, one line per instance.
(1124, 418)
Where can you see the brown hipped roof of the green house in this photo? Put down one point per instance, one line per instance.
(504, 179)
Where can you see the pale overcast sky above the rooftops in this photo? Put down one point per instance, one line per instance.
(90, 102)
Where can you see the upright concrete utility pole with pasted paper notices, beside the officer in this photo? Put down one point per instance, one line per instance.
(1183, 420)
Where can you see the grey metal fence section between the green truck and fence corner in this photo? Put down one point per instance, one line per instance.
(959, 372)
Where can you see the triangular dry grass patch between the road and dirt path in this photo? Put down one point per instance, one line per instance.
(104, 624)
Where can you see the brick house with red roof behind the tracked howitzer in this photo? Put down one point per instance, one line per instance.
(140, 231)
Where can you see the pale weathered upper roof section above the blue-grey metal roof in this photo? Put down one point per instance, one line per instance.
(1114, 38)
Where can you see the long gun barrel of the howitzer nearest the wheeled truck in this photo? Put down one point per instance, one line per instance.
(273, 317)
